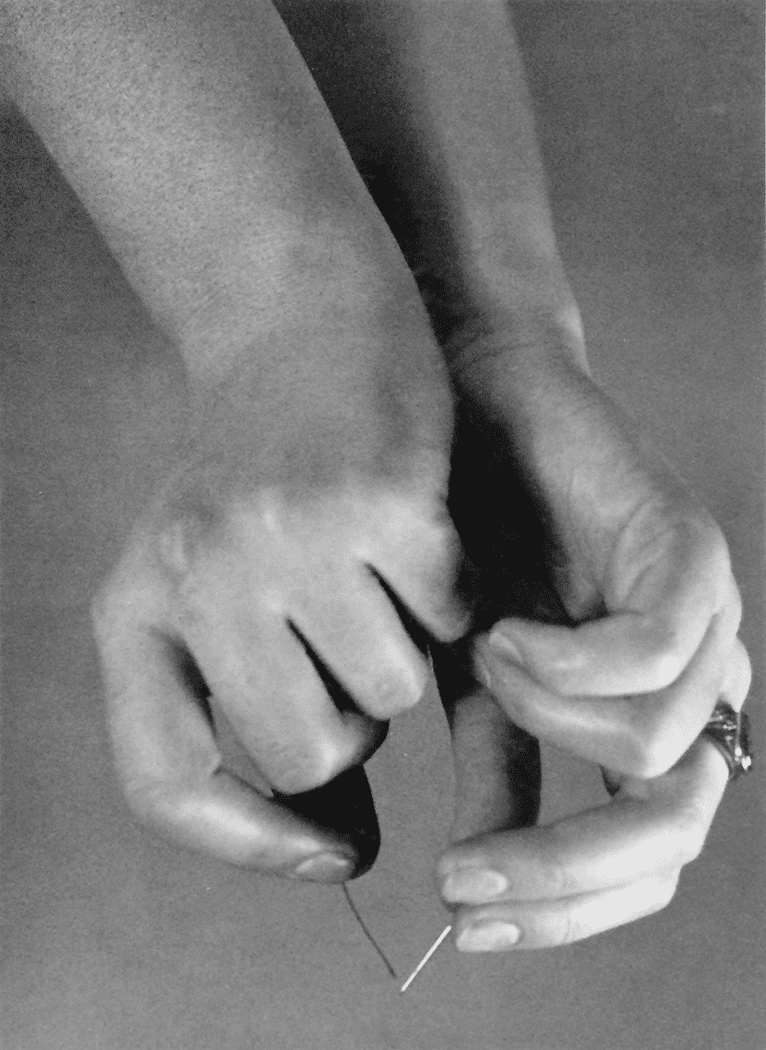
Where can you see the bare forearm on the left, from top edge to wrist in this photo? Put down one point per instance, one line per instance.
(201, 146)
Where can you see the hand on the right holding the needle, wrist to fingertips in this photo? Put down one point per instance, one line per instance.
(643, 580)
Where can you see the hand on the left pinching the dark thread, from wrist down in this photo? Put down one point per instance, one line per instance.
(287, 570)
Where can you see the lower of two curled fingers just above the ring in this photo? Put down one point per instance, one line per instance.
(642, 736)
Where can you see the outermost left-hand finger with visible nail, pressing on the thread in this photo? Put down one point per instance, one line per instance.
(172, 771)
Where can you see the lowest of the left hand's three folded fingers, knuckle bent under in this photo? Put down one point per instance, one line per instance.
(273, 695)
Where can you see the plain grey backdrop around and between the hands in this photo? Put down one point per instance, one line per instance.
(650, 121)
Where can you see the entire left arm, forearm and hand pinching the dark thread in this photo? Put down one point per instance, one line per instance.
(270, 581)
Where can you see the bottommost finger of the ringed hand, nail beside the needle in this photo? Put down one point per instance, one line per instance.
(552, 923)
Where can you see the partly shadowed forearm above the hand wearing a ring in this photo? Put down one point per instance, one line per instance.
(449, 121)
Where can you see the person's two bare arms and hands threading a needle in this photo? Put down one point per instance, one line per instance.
(382, 376)
